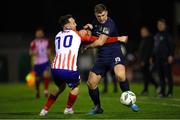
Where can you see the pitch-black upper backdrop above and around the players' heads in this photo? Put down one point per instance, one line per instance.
(129, 15)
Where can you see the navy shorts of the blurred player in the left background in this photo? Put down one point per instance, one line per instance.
(40, 68)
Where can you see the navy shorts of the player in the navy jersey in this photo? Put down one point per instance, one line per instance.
(103, 65)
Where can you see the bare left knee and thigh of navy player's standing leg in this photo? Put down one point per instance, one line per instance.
(93, 80)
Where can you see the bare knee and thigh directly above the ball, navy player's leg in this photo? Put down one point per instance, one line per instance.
(120, 72)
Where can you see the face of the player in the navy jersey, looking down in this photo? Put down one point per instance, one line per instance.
(101, 17)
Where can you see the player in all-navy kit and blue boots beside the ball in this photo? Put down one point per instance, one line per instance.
(108, 57)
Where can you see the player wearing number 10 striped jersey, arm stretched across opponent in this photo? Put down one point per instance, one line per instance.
(64, 65)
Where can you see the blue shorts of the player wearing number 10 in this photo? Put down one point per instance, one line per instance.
(71, 78)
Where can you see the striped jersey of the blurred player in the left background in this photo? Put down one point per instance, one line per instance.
(41, 47)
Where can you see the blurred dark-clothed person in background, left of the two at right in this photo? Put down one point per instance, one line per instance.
(145, 52)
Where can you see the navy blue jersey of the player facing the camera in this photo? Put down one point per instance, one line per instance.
(108, 28)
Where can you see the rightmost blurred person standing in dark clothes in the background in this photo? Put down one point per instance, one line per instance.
(164, 54)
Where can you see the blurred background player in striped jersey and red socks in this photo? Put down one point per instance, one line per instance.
(40, 52)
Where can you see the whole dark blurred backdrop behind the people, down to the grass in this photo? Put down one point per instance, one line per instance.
(19, 19)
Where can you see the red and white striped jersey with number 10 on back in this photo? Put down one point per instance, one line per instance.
(67, 45)
